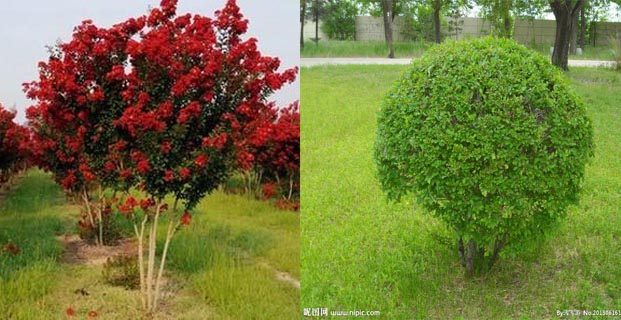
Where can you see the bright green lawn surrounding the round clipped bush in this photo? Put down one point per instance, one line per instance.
(360, 252)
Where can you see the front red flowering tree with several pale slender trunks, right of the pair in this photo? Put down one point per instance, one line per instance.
(193, 88)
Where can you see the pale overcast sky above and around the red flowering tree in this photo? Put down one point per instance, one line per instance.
(27, 26)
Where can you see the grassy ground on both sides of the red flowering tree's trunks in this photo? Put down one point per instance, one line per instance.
(227, 264)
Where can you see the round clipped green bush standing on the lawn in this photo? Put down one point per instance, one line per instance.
(489, 137)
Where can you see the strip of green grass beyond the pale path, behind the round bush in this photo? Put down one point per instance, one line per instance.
(414, 49)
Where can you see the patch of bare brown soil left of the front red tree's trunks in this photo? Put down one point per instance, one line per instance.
(79, 252)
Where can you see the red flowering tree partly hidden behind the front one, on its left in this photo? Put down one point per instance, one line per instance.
(78, 98)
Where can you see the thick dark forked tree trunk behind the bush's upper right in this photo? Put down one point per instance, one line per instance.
(565, 14)
